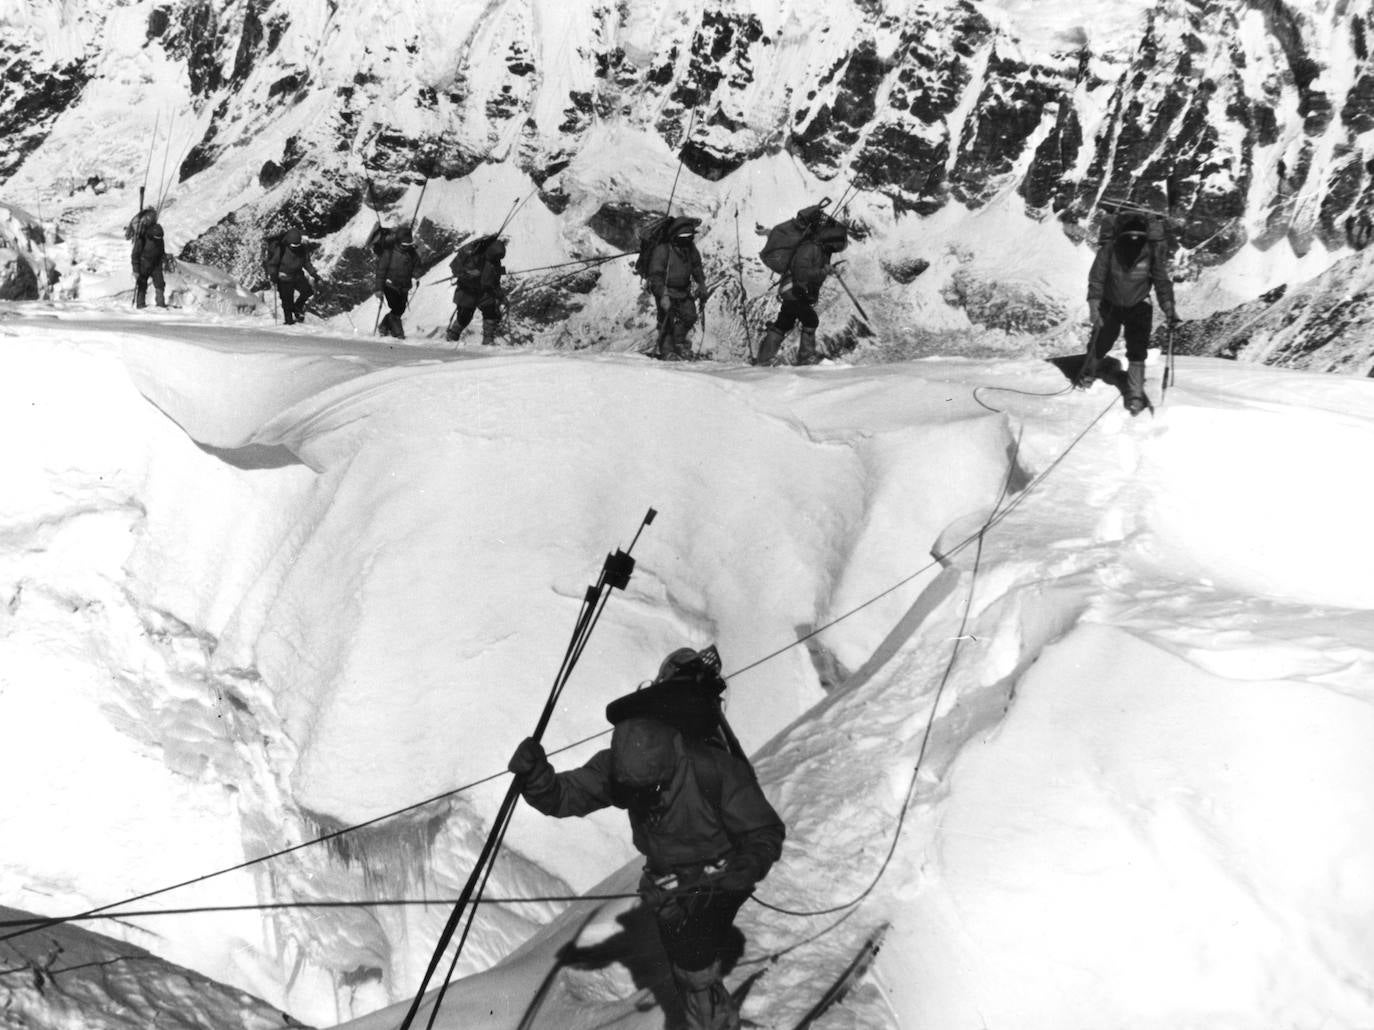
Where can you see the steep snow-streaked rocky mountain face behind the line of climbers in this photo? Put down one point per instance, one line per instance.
(982, 138)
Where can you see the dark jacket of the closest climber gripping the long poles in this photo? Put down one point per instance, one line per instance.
(686, 829)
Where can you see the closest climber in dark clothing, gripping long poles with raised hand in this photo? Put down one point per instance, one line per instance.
(696, 814)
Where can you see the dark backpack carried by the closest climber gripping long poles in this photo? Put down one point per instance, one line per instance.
(689, 701)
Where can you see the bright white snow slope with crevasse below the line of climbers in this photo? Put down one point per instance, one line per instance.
(266, 584)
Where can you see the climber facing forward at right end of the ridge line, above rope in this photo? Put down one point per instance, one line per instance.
(1129, 263)
